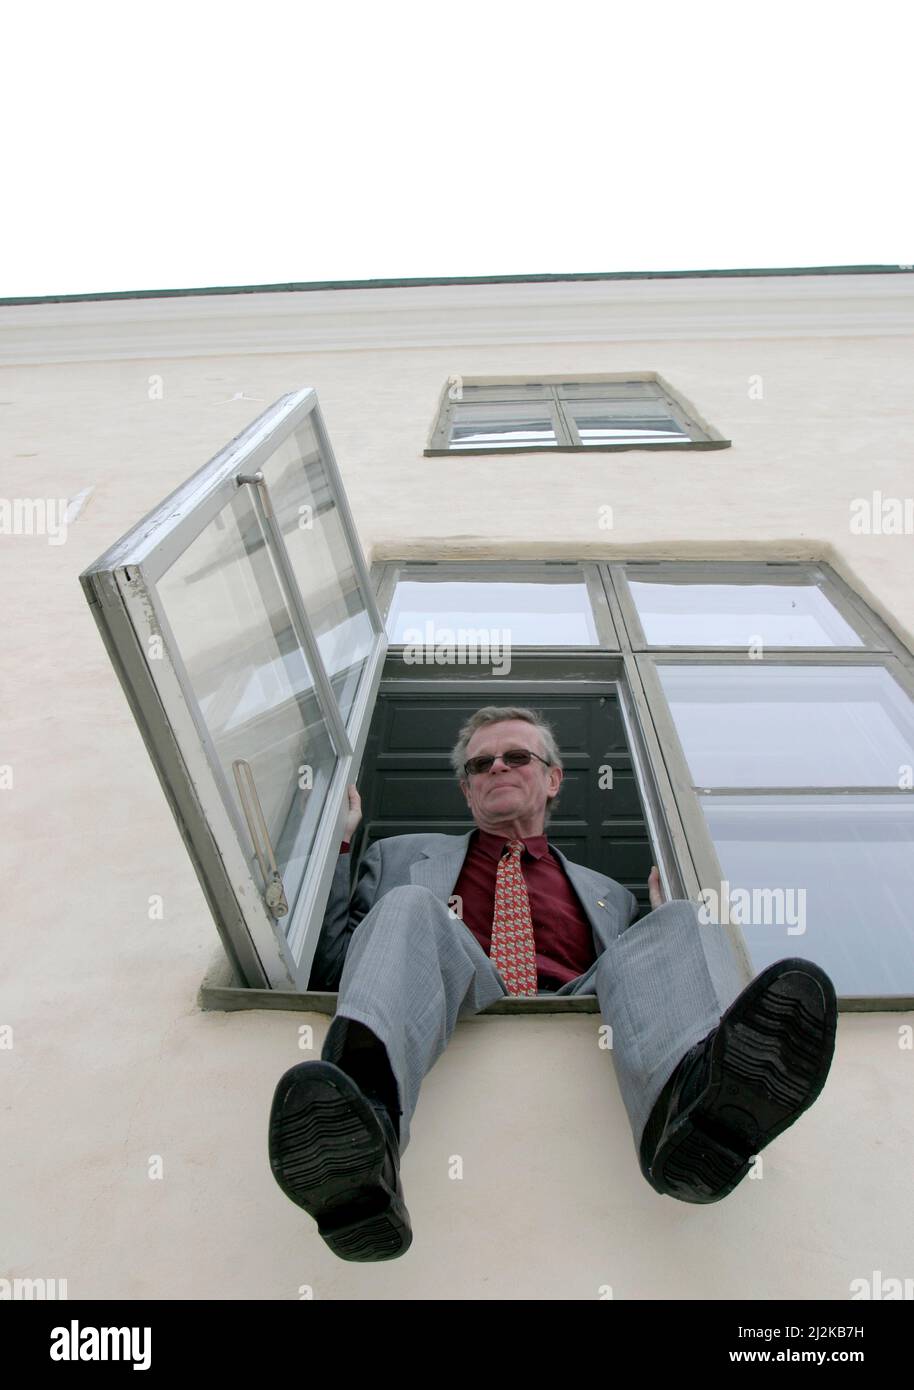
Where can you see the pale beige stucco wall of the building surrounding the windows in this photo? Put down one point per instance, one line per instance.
(112, 1061)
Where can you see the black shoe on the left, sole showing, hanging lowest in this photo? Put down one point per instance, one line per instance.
(335, 1153)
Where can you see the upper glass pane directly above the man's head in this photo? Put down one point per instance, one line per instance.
(535, 615)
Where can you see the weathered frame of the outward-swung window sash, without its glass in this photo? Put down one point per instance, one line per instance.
(122, 587)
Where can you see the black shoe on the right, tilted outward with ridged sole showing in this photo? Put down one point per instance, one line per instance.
(744, 1085)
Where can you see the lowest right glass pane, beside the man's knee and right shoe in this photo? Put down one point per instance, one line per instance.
(830, 879)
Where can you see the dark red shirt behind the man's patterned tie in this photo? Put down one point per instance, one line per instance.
(565, 936)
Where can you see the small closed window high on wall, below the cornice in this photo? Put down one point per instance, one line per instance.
(635, 412)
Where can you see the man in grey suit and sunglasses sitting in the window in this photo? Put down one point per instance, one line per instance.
(442, 926)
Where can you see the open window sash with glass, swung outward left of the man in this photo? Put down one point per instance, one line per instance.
(244, 643)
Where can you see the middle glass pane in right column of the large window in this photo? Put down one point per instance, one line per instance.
(791, 726)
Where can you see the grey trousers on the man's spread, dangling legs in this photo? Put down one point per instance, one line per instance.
(413, 970)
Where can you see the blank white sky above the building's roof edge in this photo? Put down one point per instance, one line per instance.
(166, 145)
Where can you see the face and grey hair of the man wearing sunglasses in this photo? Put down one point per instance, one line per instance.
(510, 799)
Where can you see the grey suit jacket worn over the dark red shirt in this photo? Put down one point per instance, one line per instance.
(434, 861)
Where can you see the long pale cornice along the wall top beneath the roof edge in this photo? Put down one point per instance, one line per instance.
(459, 315)
